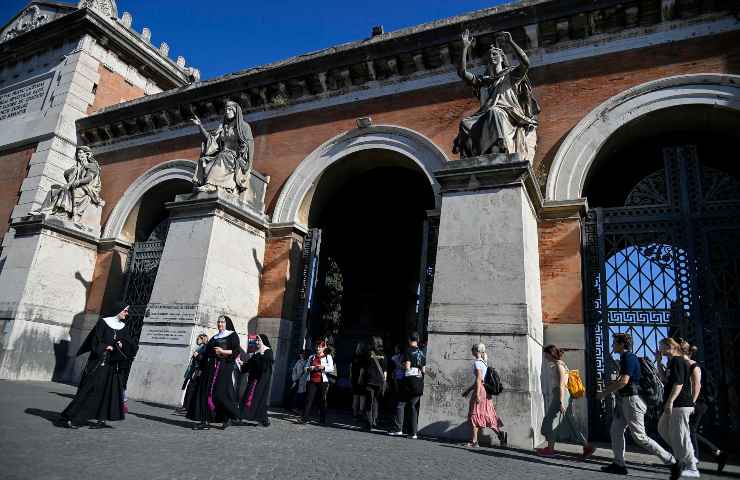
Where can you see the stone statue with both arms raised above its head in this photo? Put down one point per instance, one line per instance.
(506, 121)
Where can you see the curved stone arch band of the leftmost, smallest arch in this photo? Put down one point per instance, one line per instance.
(164, 172)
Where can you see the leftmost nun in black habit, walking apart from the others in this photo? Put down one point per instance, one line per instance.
(100, 393)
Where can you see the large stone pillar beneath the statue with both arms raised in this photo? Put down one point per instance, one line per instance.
(486, 289)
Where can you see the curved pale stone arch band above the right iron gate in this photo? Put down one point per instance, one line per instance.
(576, 155)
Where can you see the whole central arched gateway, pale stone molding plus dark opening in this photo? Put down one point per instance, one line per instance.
(367, 198)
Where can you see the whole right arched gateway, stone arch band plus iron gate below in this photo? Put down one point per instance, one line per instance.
(661, 240)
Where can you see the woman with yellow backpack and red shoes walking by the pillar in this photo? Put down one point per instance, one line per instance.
(558, 422)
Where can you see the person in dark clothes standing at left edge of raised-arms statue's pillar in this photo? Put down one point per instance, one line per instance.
(410, 387)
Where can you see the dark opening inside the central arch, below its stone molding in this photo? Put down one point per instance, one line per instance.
(370, 207)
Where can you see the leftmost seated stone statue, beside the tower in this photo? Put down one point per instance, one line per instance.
(82, 189)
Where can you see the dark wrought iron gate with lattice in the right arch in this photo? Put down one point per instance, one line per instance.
(667, 263)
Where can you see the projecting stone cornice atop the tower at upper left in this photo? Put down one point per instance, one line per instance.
(115, 37)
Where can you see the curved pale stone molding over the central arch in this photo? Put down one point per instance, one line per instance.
(412, 145)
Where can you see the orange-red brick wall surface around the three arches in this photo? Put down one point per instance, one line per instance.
(566, 91)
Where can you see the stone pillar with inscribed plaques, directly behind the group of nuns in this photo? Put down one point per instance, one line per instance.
(210, 266)
